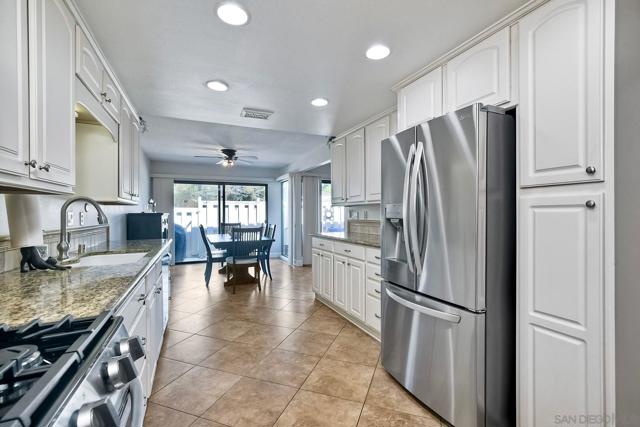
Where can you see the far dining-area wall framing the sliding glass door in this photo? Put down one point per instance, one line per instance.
(164, 173)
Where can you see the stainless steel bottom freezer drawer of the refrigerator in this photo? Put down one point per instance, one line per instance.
(437, 353)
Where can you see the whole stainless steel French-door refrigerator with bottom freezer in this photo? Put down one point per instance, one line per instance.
(448, 263)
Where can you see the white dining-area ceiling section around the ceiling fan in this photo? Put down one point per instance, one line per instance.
(179, 140)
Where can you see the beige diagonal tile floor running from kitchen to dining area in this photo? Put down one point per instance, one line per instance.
(275, 357)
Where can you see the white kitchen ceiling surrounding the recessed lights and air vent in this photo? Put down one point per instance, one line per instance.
(290, 52)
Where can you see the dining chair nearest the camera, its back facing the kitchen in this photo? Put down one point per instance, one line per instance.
(245, 251)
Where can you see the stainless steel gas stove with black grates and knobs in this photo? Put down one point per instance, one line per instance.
(70, 373)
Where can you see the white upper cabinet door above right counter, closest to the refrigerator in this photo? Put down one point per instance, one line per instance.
(373, 136)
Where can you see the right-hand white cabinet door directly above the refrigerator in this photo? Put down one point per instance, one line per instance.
(481, 74)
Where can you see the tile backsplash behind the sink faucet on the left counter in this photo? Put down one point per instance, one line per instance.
(89, 236)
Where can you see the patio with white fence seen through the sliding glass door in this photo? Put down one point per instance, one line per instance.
(210, 204)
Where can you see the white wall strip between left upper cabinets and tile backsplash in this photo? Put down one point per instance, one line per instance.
(50, 209)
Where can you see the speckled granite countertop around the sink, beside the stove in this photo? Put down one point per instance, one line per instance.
(80, 291)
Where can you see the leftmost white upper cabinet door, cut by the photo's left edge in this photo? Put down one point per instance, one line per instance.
(14, 88)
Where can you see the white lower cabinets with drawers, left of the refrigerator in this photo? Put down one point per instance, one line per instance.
(345, 280)
